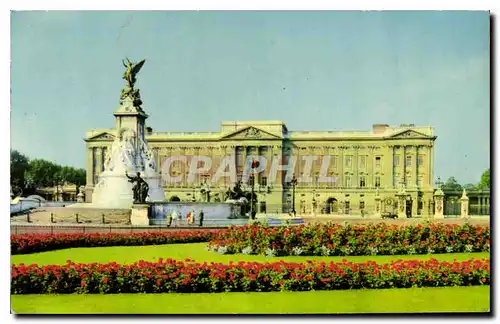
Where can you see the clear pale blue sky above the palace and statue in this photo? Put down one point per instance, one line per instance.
(313, 70)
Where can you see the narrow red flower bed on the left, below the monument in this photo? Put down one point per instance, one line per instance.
(31, 243)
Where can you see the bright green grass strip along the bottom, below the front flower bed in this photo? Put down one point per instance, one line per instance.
(413, 300)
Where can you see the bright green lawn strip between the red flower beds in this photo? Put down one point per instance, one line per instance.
(196, 251)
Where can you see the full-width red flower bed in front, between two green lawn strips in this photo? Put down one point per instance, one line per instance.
(177, 276)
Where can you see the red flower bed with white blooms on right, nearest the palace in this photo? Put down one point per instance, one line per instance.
(343, 240)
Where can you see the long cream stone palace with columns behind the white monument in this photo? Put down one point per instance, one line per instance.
(359, 162)
